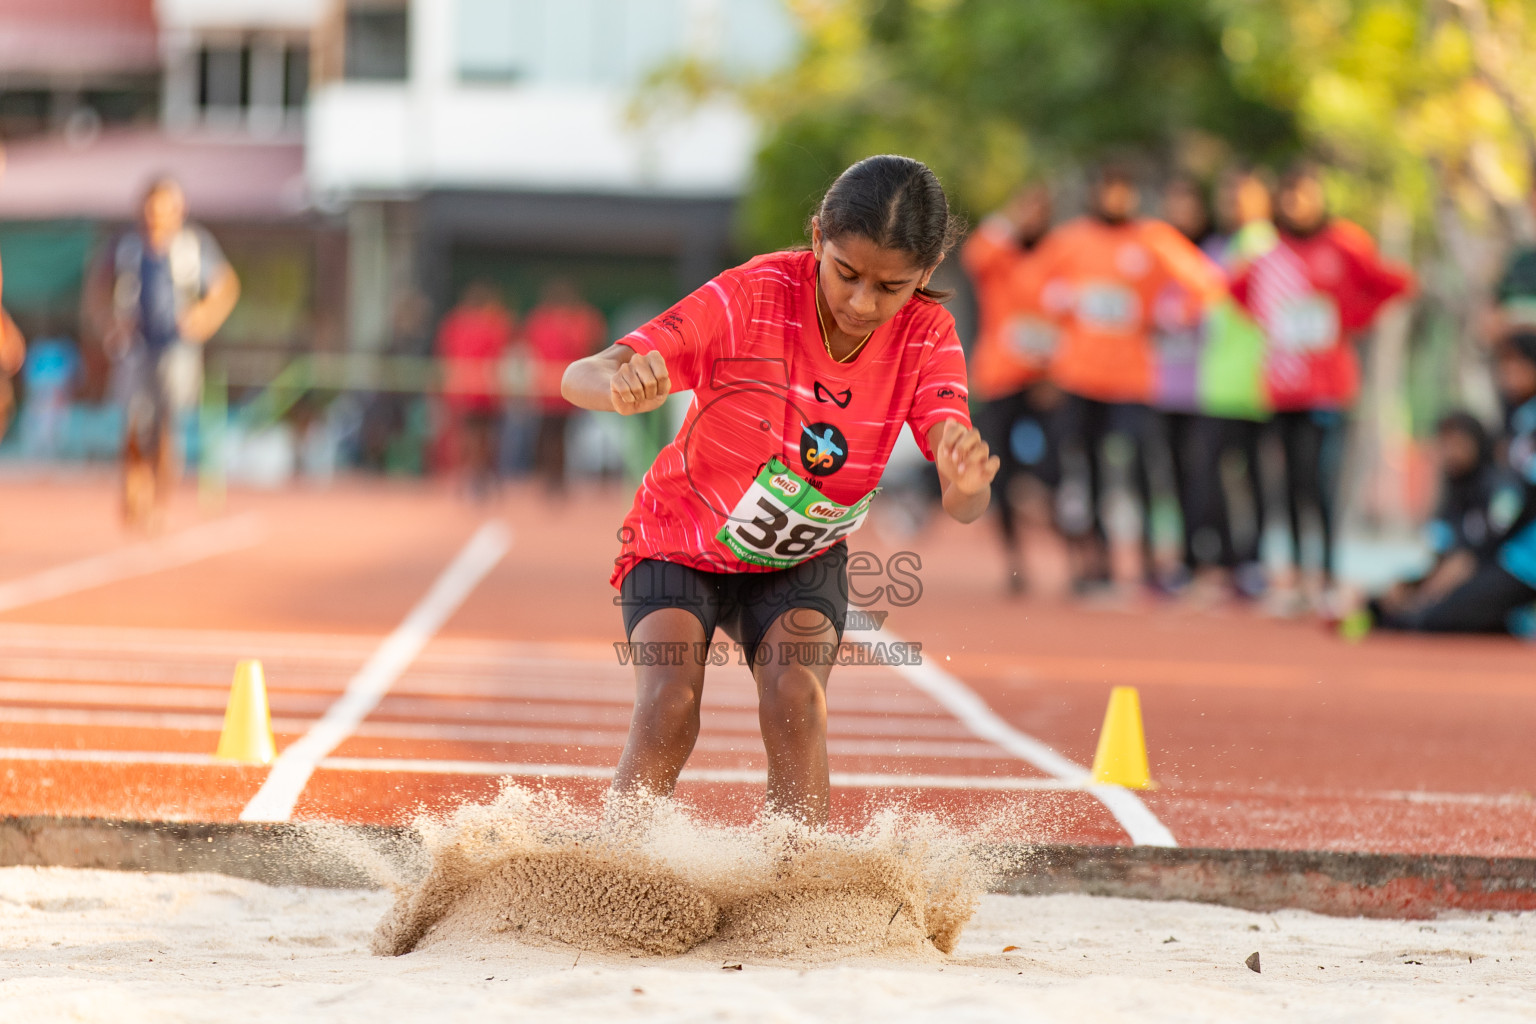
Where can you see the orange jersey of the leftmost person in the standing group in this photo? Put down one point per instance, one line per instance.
(1015, 340)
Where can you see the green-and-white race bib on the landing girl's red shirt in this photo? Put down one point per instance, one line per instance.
(784, 521)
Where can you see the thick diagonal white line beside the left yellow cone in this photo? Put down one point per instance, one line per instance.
(291, 773)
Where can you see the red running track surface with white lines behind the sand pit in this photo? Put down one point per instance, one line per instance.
(1262, 733)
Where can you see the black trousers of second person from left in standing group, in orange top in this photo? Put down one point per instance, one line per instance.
(1084, 426)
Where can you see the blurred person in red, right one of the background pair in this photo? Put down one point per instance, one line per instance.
(561, 329)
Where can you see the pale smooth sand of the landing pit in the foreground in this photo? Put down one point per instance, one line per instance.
(122, 948)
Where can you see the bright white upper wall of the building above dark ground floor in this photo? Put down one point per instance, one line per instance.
(537, 94)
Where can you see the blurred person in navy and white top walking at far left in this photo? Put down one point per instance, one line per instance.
(159, 294)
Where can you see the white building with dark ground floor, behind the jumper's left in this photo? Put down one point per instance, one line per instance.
(500, 139)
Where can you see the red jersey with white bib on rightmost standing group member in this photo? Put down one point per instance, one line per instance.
(1311, 296)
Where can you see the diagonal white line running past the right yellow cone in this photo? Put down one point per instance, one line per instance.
(964, 704)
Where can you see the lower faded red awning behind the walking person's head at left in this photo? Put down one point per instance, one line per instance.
(227, 179)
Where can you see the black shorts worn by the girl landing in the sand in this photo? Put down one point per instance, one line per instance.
(743, 604)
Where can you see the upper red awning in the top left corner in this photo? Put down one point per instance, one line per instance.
(78, 38)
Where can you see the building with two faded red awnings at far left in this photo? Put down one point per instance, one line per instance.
(98, 97)
